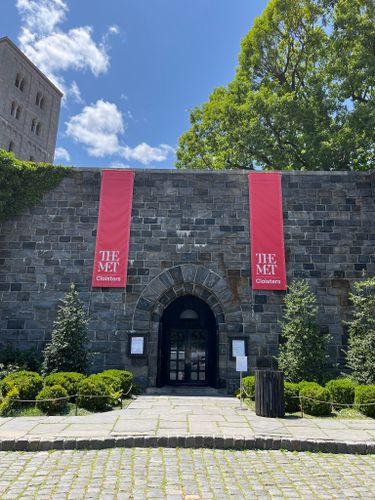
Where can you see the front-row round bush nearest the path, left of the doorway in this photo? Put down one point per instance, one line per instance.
(94, 386)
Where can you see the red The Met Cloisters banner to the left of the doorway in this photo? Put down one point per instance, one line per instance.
(112, 239)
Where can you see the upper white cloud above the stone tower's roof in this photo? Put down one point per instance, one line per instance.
(54, 50)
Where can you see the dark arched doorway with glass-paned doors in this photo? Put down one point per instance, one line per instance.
(187, 348)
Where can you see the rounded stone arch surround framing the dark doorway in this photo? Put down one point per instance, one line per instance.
(186, 279)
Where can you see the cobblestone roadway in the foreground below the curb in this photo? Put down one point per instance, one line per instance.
(142, 473)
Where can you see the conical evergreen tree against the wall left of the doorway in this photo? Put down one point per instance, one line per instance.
(67, 349)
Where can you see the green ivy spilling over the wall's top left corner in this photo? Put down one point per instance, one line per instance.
(23, 183)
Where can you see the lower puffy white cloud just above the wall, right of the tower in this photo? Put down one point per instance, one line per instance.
(98, 128)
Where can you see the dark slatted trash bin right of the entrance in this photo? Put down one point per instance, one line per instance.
(269, 393)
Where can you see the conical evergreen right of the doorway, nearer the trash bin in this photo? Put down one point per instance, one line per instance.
(303, 355)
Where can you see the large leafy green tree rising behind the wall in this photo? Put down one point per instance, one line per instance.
(303, 96)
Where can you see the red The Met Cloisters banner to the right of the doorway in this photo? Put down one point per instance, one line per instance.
(266, 232)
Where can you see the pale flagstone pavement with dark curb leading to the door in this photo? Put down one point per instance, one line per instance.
(187, 422)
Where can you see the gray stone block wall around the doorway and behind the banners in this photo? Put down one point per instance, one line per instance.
(189, 235)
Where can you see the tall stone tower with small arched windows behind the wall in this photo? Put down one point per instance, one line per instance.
(29, 107)
